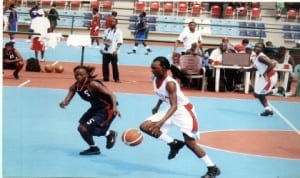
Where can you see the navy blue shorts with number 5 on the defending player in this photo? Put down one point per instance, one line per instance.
(97, 121)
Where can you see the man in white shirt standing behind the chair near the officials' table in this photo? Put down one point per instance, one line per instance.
(188, 37)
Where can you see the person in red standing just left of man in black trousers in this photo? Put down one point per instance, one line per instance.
(95, 28)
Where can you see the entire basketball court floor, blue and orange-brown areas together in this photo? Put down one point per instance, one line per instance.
(41, 140)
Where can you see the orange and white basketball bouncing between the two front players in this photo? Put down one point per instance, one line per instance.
(132, 137)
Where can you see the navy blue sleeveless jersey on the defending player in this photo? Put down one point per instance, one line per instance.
(97, 99)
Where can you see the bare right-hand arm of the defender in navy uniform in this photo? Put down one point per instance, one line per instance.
(96, 86)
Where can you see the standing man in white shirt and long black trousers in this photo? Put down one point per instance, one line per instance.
(113, 39)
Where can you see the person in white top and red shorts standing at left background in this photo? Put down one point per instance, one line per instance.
(40, 25)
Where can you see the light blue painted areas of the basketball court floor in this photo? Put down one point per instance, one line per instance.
(41, 140)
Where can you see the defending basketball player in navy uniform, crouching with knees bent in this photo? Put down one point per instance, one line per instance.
(97, 119)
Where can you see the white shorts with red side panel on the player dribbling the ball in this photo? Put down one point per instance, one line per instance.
(184, 118)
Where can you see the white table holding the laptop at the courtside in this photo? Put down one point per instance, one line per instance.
(217, 75)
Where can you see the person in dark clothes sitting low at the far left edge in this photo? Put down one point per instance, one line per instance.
(12, 59)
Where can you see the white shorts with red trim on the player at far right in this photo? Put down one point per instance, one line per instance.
(262, 86)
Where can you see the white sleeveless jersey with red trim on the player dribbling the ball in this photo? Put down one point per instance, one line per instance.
(163, 94)
